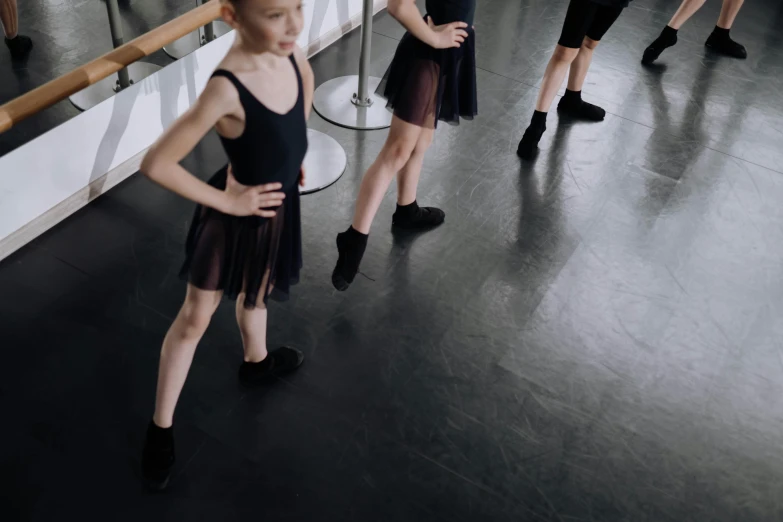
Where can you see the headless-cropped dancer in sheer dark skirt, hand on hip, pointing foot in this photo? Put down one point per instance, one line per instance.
(432, 77)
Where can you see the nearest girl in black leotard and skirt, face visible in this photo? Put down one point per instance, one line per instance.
(245, 240)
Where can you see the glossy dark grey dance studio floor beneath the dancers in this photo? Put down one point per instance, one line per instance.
(592, 336)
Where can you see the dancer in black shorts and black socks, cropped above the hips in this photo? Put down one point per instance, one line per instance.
(586, 22)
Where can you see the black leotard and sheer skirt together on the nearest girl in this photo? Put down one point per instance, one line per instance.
(253, 255)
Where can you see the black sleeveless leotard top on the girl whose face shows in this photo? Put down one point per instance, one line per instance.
(273, 145)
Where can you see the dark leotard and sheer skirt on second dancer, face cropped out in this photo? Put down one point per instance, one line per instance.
(424, 84)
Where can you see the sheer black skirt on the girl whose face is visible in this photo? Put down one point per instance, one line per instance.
(260, 257)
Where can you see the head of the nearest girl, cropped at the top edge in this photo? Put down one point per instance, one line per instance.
(266, 25)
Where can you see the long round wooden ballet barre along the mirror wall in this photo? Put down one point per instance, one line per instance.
(82, 77)
